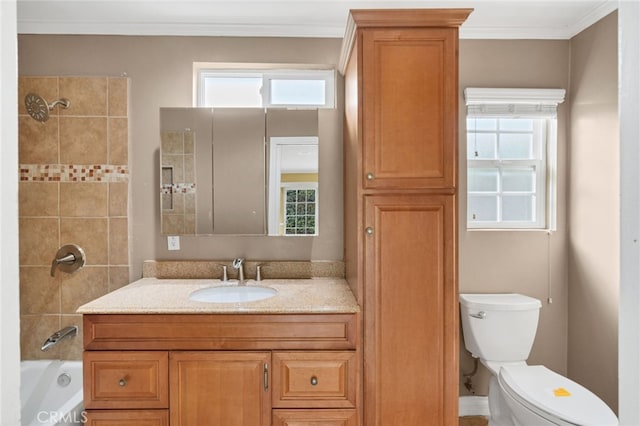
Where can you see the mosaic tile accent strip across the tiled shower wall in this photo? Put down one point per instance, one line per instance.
(73, 173)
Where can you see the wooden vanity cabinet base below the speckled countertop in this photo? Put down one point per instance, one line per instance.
(220, 369)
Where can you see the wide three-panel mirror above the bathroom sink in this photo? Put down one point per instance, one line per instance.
(238, 171)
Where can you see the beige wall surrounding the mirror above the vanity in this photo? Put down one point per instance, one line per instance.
(160, 71)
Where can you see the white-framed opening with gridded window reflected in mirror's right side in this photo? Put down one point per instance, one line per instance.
(293, 186)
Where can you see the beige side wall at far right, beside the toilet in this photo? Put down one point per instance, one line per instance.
(594, 211)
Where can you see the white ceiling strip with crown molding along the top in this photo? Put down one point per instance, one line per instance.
(505, 19)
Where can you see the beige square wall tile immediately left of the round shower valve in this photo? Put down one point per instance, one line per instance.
(38, 240)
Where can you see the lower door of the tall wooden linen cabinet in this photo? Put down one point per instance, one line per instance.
(411, 358)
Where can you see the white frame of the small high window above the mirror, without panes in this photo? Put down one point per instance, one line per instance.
(268, 73)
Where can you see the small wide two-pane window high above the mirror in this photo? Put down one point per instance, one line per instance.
(256, 87)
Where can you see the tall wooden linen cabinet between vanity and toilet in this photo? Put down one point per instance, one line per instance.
(400, 176)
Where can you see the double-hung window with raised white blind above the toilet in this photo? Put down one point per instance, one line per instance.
(511, 135)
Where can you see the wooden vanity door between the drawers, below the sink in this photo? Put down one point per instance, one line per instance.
(220, 388)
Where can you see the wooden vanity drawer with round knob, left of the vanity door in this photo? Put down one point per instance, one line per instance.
(123, 379)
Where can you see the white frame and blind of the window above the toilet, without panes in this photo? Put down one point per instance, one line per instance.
(521, 103)
